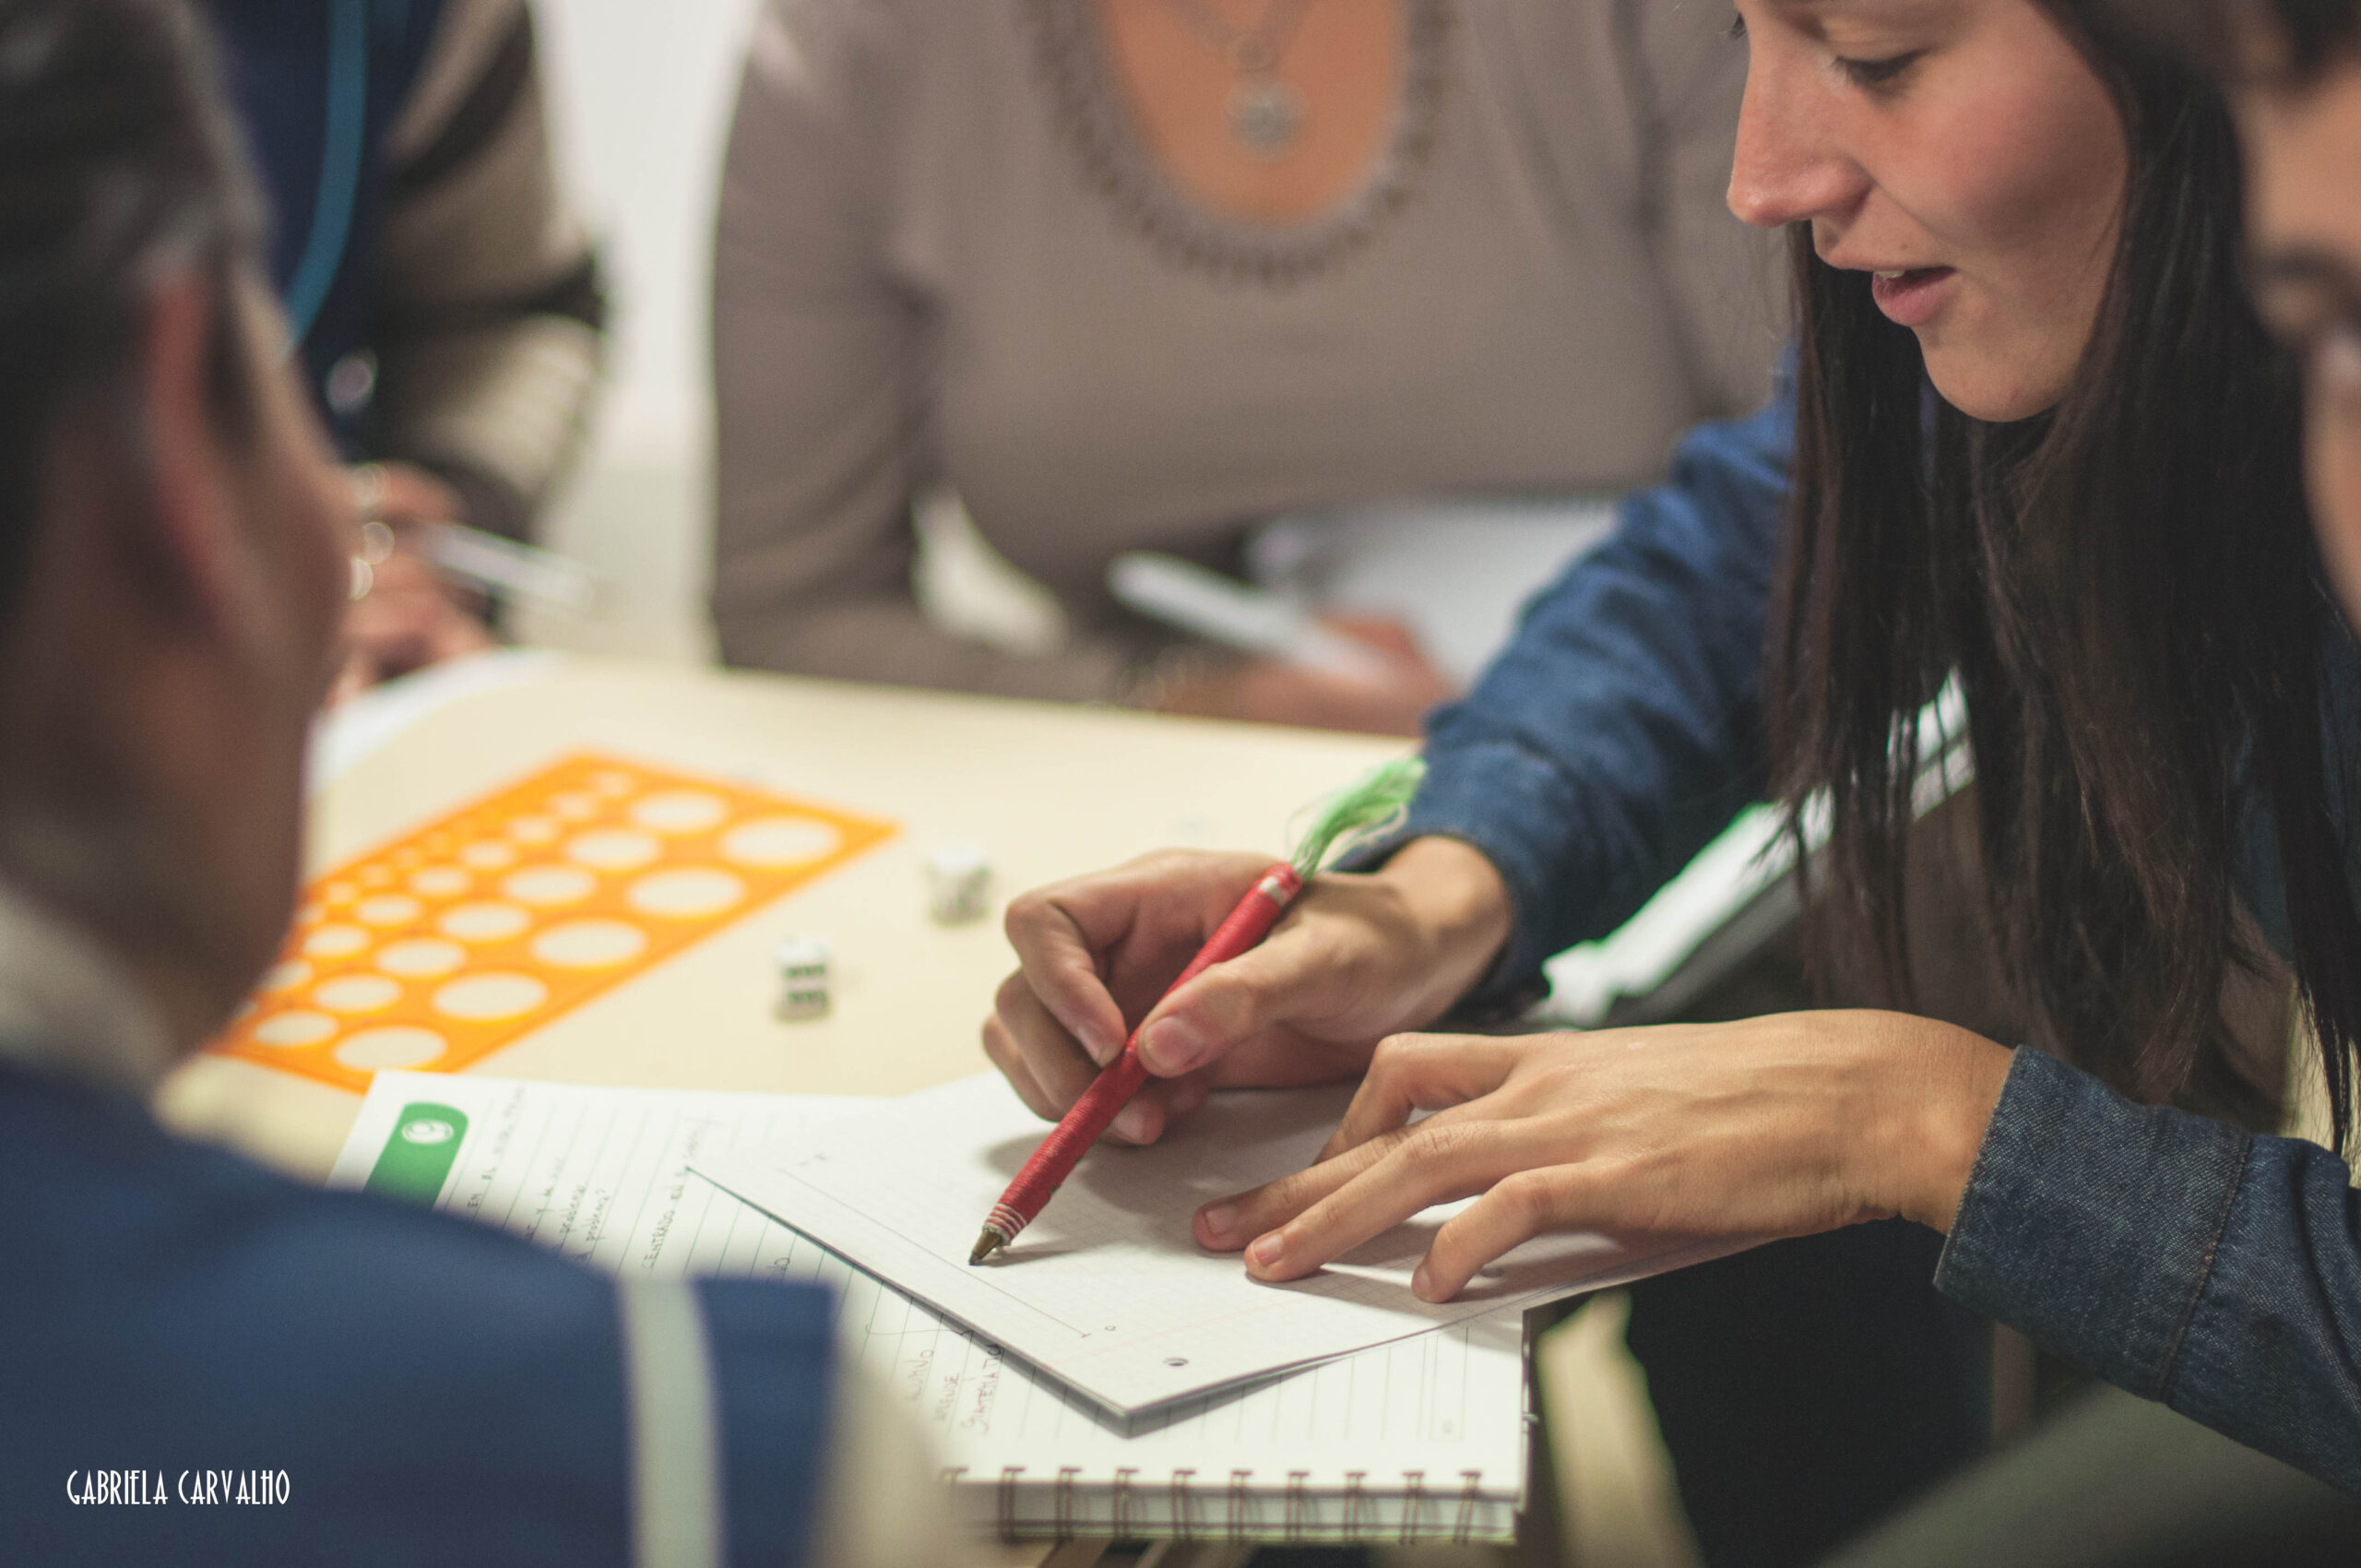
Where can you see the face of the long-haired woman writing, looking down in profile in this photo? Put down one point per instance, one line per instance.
(1961, 152)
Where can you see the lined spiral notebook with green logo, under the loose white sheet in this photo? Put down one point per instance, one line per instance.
(1413, 1442)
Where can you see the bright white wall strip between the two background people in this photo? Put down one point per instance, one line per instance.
(641, 103)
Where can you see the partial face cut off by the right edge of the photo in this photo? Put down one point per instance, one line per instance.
(2303, 157)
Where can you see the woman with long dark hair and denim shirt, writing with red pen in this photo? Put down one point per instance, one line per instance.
(2043, 447)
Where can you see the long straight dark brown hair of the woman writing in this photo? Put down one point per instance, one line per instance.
(2128, 594)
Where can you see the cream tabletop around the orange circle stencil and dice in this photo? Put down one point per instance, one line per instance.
(1045, 790)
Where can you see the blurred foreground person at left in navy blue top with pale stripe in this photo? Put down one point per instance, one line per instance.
(174, 573)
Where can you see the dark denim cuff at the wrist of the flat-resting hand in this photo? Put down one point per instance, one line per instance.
(2091, 1224)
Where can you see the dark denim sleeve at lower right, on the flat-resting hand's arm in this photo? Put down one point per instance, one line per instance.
(2178, 1257)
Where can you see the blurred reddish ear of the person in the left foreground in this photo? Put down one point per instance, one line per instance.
(183, 518)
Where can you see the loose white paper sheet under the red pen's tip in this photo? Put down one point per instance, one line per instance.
(1108, 1288)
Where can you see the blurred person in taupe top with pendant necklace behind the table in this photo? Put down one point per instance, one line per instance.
(1144, 275)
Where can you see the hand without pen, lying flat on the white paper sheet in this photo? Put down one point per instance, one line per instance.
(1767, 1128)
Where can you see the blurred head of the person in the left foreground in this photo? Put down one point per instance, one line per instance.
(171, 525)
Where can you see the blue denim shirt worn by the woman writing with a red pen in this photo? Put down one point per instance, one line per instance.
(1621, 731)
